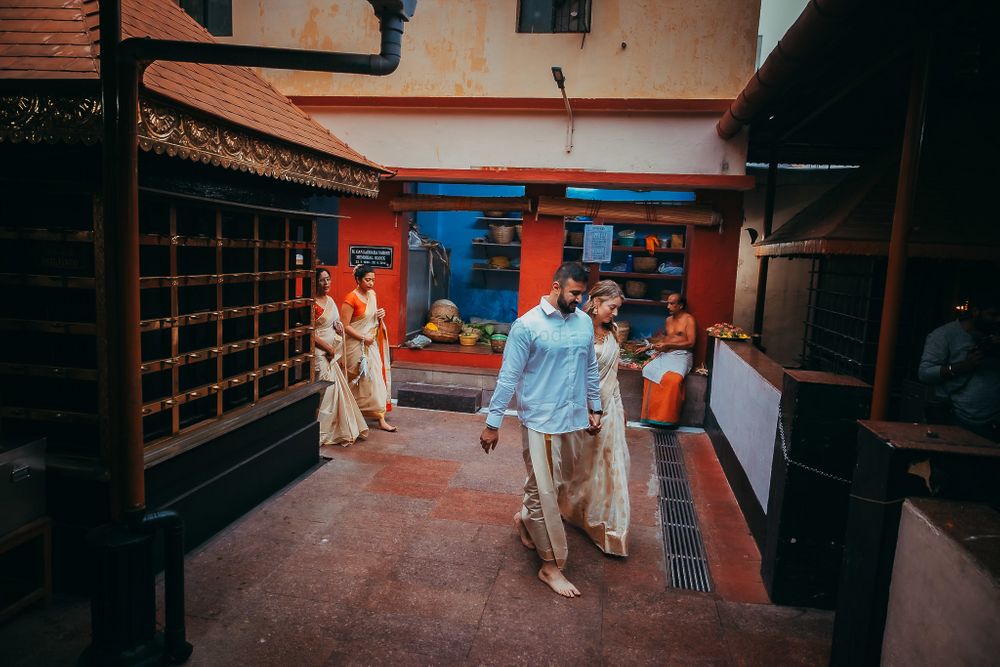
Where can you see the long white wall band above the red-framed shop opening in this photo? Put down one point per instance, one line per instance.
(608, 142)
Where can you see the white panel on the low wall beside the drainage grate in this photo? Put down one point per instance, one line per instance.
(746, 407)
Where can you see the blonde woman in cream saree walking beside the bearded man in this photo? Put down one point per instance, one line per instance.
(591, 471)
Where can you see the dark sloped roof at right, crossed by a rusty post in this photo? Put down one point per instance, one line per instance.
(855, 218)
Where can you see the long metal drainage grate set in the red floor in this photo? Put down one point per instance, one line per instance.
(687, 566)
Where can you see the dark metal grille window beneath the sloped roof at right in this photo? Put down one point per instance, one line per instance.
(844, 311)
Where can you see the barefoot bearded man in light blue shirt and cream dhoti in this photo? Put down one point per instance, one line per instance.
(550, 365)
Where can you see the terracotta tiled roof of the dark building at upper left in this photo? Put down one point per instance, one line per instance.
(60, 40)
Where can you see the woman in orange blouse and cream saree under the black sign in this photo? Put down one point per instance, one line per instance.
(367, 348)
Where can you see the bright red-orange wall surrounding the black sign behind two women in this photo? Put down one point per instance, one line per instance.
(372, 223)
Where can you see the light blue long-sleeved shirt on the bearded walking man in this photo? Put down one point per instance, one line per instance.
(550, 364)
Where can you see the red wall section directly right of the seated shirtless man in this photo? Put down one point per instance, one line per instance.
(712, 259)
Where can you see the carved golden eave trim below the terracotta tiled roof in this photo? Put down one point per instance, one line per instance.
(165, 129)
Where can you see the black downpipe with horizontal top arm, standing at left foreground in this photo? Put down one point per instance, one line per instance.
(123, 606)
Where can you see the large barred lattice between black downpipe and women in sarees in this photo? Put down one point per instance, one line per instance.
(226, 307)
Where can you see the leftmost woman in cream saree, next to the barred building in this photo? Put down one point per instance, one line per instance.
(340, 420)
